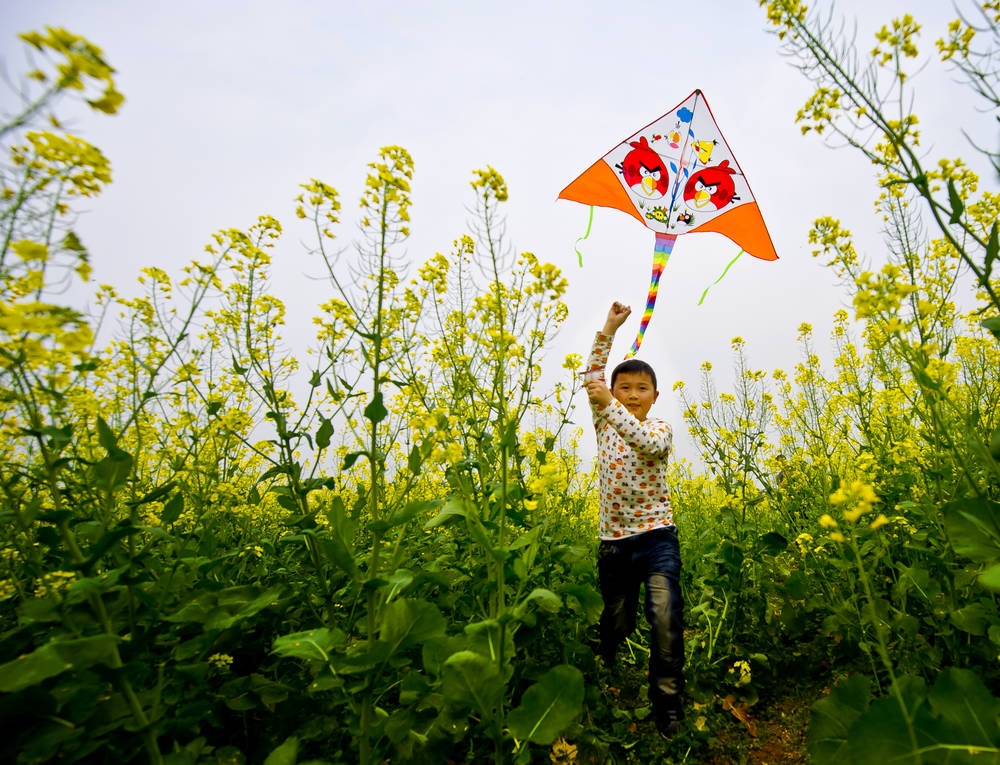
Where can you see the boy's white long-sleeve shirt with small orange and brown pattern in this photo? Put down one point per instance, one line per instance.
(632, 463)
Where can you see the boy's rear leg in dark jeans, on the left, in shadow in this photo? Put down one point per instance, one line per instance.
(620, 591)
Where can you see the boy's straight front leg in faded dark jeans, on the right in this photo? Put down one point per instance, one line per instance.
(664, 608)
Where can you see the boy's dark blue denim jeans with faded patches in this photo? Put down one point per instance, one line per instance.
(652, 558)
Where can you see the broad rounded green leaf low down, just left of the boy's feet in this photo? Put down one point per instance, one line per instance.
(549, 706)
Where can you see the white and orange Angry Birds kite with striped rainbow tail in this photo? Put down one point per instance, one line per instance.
(676, 176)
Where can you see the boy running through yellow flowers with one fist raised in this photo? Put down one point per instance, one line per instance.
(638, 538)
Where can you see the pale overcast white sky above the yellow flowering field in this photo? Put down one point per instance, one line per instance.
(229, 106)
